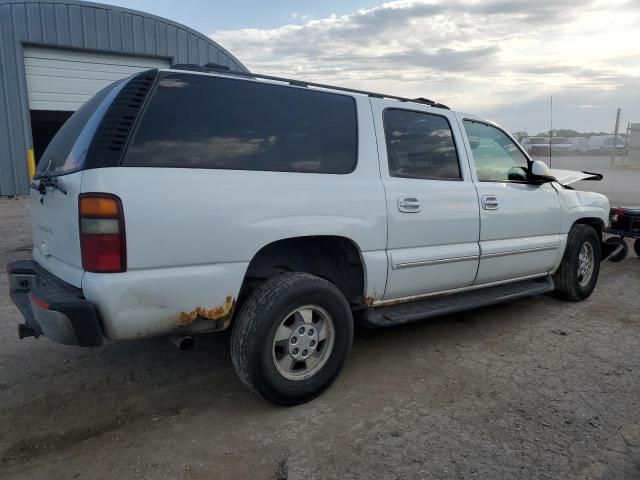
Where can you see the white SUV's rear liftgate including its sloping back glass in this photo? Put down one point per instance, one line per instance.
(56, 186)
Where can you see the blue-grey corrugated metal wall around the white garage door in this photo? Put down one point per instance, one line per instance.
(78, 25)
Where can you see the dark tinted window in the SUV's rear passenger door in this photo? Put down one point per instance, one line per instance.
(420, 145)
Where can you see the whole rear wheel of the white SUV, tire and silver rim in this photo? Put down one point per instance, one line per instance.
(292, 337)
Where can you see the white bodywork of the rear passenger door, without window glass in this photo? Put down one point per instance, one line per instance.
(435, 247)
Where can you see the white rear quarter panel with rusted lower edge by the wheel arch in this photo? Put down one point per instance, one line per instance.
(191, 233)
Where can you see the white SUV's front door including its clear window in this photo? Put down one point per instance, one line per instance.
(519, 221)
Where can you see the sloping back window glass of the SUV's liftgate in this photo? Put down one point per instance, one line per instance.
(68, 148)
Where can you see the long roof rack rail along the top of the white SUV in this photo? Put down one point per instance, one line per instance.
(220, 70)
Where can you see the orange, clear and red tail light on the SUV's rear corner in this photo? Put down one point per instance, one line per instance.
(102, 239)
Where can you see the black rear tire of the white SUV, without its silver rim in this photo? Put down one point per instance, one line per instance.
(252, 347)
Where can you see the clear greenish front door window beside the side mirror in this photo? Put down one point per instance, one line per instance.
(495, 155)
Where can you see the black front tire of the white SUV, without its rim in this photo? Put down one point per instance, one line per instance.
(567, 279)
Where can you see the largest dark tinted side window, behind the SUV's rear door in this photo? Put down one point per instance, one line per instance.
(207, 122)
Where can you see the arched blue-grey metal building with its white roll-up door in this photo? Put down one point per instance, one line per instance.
(55, 54)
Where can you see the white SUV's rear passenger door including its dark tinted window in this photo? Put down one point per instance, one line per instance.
(432, 204)
